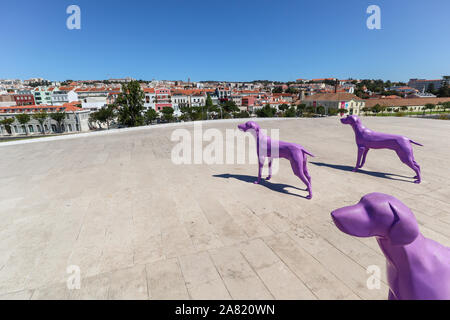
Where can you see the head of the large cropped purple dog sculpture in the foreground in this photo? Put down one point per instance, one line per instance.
(379, 215)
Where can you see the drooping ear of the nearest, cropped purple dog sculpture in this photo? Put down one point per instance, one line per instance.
(405, 228)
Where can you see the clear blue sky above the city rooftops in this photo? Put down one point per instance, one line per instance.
(238, 40)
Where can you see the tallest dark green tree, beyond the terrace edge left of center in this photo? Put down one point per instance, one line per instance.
(131, 104)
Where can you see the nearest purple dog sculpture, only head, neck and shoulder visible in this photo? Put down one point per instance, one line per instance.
(417, 268)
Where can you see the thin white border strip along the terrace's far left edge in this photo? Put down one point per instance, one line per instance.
(141, 128)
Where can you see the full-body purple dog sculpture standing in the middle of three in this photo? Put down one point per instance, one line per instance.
(295, 153)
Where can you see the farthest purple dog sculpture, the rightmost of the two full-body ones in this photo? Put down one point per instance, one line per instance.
(367, 139)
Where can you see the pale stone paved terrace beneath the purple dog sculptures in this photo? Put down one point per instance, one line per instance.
(140, 227)
